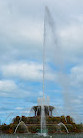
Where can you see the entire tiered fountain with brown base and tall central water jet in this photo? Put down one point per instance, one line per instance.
(43, 121)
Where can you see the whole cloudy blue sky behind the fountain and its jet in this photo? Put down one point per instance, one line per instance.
(21, 57)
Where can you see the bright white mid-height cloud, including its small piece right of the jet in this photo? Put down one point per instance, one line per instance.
(27, 71)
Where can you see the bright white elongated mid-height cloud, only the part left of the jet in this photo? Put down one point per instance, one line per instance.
(25, 71)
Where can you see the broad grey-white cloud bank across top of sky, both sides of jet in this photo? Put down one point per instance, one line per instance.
(23, 33)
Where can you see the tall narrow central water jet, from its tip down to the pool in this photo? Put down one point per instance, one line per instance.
(47, 15)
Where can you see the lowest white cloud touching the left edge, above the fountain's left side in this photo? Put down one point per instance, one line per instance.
(9, 88)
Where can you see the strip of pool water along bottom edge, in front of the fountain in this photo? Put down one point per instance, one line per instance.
(36, 136)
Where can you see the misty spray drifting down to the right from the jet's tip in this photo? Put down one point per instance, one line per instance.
(56, 53)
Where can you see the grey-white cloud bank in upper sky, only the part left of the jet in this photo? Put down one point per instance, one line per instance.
(21, 35)
